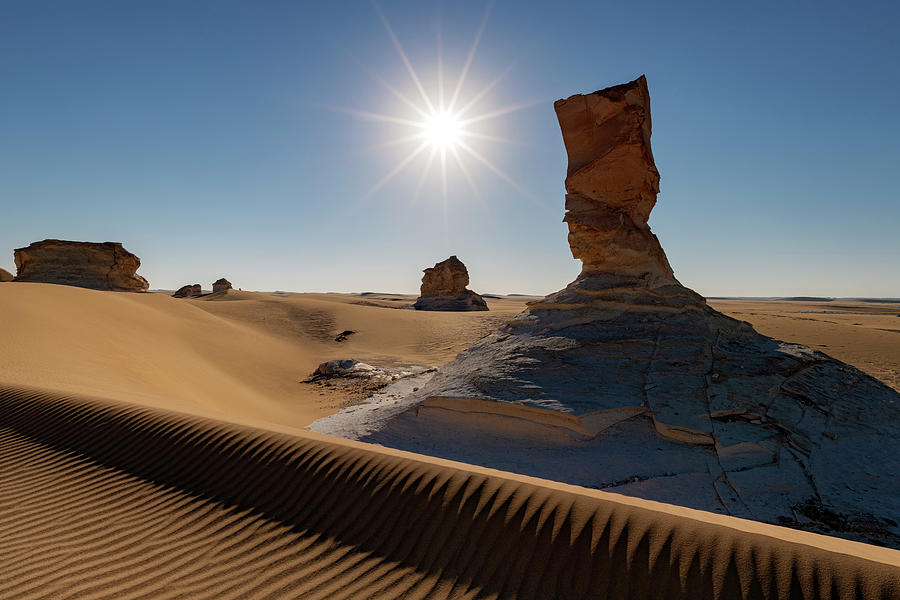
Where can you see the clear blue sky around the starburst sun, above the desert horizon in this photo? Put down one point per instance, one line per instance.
(203, 135)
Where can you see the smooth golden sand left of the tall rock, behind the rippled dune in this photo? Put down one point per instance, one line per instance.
(239, 355)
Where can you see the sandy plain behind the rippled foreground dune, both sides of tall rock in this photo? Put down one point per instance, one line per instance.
(246, 355)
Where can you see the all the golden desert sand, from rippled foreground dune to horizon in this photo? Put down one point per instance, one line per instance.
(179, 469)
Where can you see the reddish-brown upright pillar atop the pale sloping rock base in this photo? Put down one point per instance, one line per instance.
(611, 185)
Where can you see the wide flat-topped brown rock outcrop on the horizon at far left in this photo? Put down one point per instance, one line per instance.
(94, 265)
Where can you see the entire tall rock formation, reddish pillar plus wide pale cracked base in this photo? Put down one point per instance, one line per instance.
(626, 380)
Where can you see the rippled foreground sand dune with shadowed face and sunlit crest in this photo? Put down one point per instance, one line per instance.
(100, 499)
